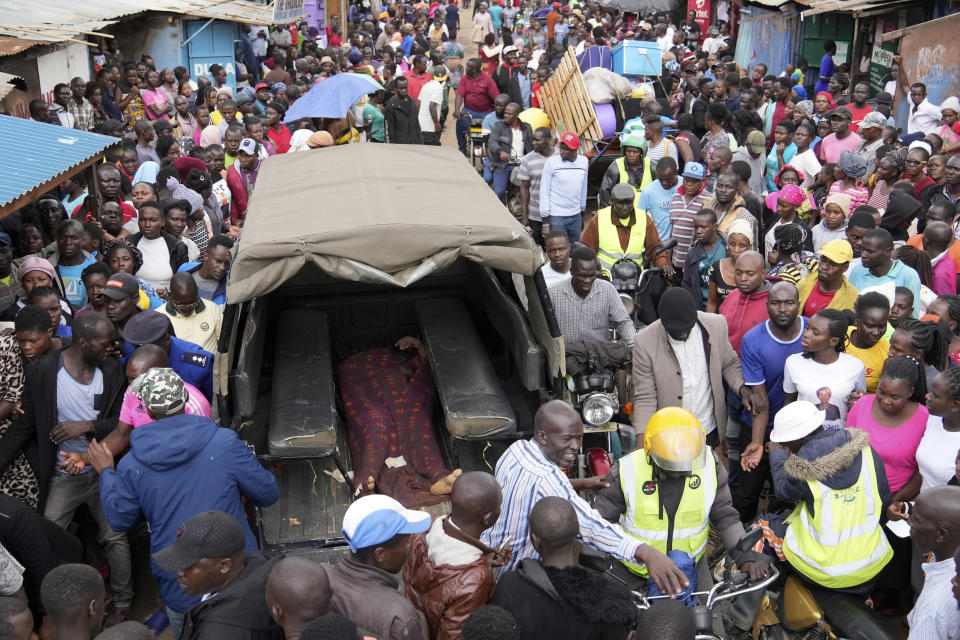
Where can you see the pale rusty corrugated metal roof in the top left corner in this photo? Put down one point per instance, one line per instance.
(56, 20)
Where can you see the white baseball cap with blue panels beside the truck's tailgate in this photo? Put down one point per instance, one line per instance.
(377, 518)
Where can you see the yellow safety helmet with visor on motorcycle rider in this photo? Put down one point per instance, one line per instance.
(675, 440)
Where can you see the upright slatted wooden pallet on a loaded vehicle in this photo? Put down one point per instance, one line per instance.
(564, 97)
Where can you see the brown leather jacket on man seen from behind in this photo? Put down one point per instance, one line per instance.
(445, 593)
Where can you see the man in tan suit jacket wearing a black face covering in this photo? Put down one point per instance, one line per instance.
(696, 347)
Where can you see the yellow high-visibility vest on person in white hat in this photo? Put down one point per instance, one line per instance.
(841, 545)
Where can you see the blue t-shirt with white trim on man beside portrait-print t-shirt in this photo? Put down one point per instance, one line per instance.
(763, 357)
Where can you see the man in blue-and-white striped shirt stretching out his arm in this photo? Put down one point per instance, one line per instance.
(533, 469)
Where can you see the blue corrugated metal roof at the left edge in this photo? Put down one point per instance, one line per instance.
(36, 152)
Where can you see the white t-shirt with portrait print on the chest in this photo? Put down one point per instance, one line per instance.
(835, 382)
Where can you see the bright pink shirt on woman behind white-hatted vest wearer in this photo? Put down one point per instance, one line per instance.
(896, 447)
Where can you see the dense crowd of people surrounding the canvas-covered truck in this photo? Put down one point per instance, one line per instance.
(809, 339)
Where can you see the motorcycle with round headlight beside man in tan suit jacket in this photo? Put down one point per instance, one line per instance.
(593, 377)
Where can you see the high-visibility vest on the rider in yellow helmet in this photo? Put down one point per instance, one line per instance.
(643, 520)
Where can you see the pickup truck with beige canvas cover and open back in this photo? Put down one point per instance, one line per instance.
(340, 253)
